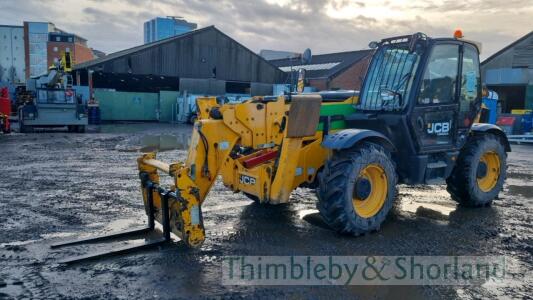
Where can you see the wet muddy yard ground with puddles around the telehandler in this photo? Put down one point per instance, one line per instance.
(55, 186)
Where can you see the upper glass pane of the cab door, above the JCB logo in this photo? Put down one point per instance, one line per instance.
(440, 76)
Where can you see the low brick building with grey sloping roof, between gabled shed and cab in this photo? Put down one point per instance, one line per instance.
(333, 71)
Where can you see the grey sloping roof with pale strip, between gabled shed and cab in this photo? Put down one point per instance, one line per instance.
(323, 65)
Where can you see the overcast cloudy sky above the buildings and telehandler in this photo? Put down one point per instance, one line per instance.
(322, 25)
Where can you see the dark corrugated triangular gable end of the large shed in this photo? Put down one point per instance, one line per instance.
(203, 53)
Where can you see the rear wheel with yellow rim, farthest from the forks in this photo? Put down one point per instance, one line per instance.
(479, 173)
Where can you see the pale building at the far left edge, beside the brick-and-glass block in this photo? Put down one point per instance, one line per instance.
(12, 64)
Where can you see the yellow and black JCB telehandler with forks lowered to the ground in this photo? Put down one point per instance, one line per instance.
(412, 123)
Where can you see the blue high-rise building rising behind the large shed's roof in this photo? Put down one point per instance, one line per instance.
(161, 28)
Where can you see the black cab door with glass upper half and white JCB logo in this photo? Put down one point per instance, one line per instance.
(434, 116)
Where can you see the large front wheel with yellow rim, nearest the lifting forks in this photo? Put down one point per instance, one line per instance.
(357, 189)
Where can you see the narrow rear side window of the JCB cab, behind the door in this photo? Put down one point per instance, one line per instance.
(470, 83)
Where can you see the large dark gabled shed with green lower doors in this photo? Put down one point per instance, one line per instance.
(142, 83)
